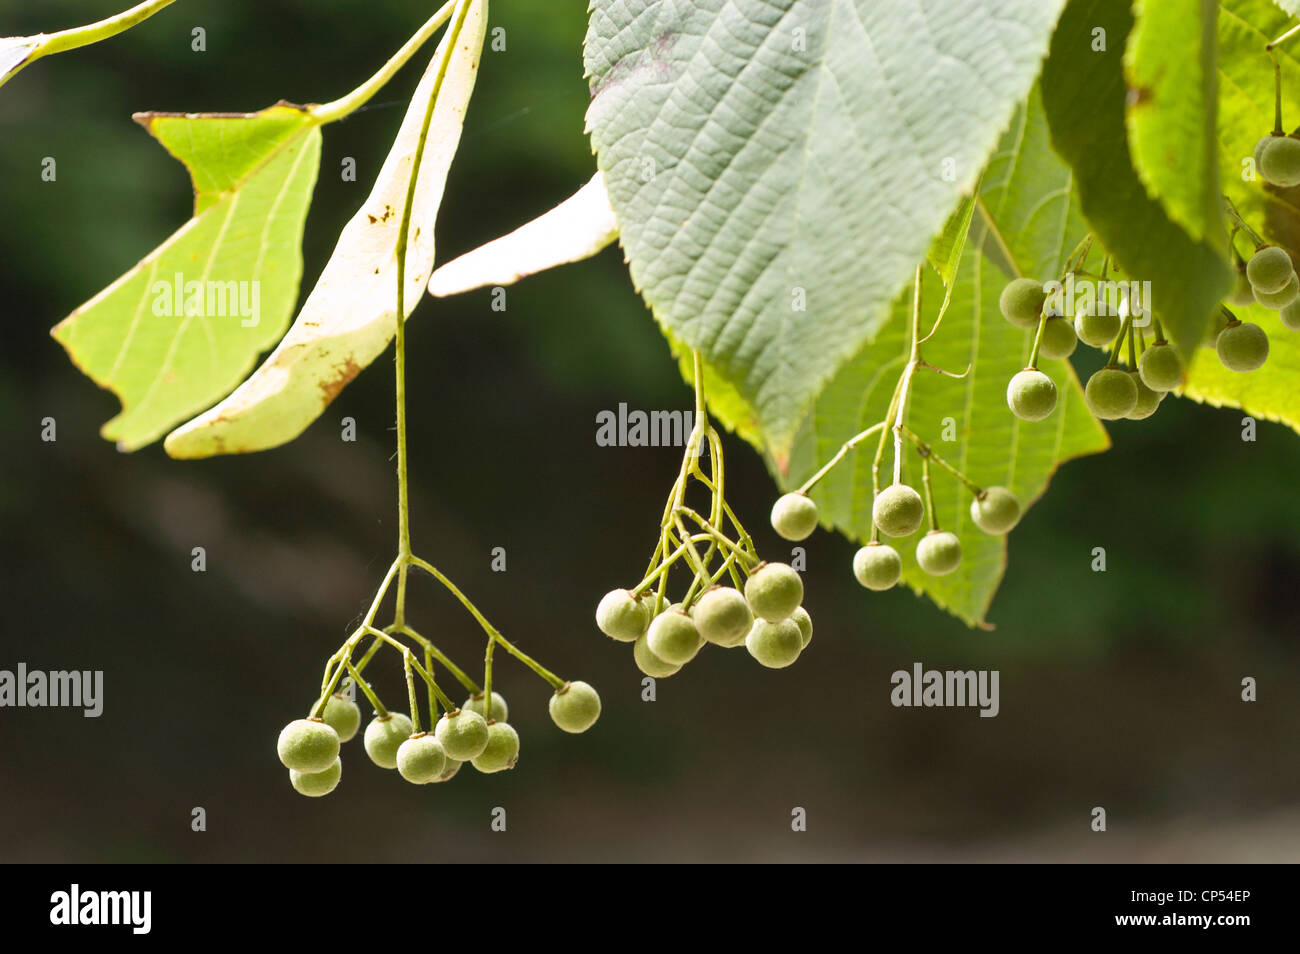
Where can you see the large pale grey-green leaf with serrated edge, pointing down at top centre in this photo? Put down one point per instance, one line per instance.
(778, 168)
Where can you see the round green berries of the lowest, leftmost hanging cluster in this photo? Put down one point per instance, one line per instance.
(476, 732)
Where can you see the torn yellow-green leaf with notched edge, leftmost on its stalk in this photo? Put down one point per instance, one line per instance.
(181, 328)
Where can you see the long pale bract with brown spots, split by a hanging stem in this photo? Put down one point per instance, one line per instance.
(350, 316)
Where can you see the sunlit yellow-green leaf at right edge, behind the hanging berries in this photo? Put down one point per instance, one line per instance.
(1246, 115)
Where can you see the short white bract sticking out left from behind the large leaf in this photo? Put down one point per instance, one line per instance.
(577, 229)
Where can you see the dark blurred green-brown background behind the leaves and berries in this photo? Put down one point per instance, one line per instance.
(1119, 690)
